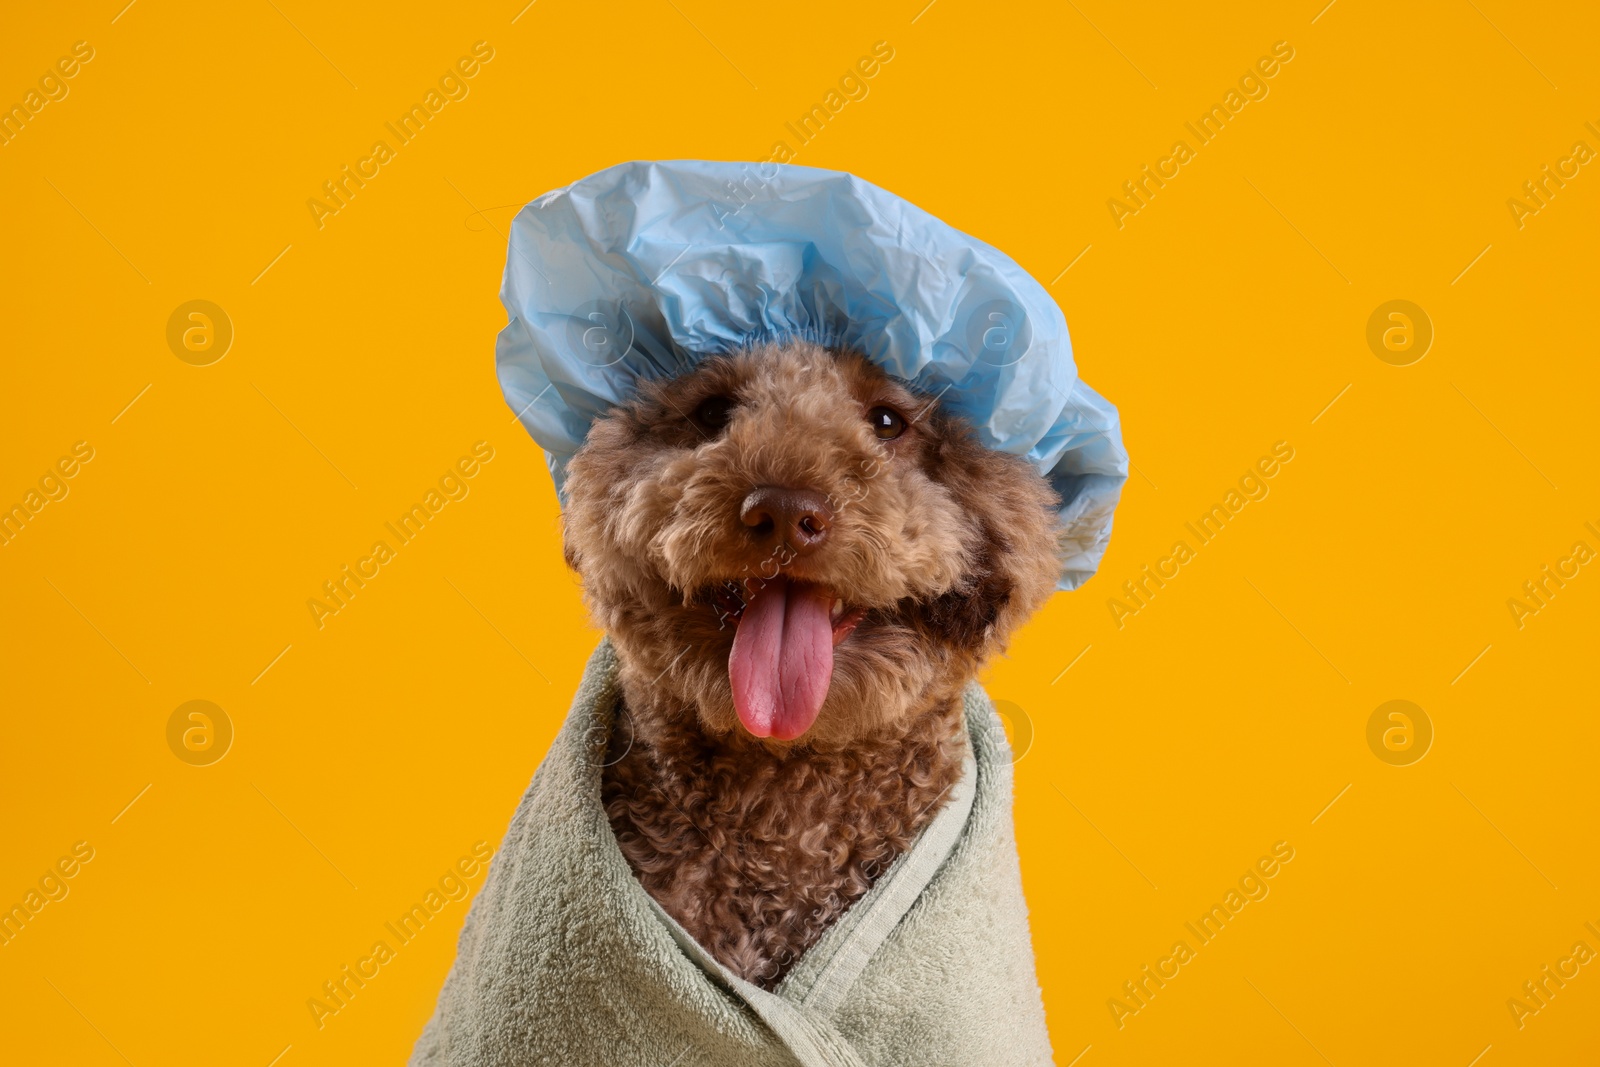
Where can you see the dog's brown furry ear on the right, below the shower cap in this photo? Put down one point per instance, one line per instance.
(1014, 516)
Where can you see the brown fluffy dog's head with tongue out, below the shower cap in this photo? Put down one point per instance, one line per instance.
(793, 545)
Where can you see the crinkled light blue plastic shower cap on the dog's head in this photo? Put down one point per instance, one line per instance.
(644, 270)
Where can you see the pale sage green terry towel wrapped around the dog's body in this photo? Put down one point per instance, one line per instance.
(567, 961)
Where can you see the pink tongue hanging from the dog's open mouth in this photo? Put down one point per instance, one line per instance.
(783, 660)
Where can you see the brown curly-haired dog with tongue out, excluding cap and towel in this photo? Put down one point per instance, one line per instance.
(801, 564)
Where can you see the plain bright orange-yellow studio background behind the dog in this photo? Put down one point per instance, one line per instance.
(1223, 318)
